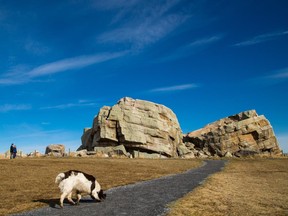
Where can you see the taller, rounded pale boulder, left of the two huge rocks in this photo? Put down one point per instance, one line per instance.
(136, 124)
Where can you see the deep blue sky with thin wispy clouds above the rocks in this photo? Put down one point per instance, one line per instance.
(61, 61)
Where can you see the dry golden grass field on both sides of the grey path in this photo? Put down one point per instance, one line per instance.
(244, 187)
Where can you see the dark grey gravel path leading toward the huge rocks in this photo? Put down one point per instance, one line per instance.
(147, 198)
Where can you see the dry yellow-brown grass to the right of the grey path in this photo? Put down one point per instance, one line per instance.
(245, 187)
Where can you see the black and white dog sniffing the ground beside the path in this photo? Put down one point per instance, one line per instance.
(79, 182)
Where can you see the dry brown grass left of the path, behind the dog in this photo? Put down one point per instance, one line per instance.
(29, 183)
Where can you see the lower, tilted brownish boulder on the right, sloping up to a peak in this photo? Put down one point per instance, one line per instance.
(243, 134)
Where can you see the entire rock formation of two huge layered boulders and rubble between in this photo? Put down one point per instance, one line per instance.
(137, 128)
